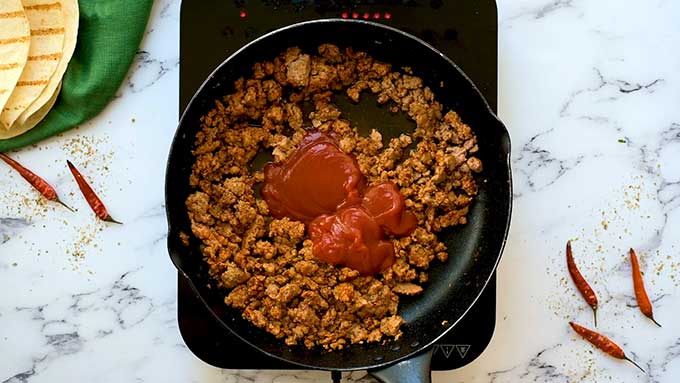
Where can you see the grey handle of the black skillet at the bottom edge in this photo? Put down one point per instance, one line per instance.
(414, 370)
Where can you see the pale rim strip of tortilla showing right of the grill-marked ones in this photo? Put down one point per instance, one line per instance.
(71, 14)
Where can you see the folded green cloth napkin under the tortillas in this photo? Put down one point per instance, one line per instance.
(108, 38)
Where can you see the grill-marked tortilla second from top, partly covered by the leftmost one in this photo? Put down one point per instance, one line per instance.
(47, 40)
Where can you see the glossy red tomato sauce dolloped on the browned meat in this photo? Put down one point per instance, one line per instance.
(348, 221)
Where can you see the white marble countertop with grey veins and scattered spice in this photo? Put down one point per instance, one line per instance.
(590, 91)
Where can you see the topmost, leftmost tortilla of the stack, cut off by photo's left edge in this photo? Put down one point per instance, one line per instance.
(15, 37)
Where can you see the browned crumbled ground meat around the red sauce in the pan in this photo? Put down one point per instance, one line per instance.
(266, 265)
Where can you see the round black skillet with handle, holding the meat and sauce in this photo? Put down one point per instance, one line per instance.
(474, 249)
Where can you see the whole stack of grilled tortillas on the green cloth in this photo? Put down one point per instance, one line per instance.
(37, 40)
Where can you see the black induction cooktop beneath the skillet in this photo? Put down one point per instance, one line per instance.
(211, 30)
